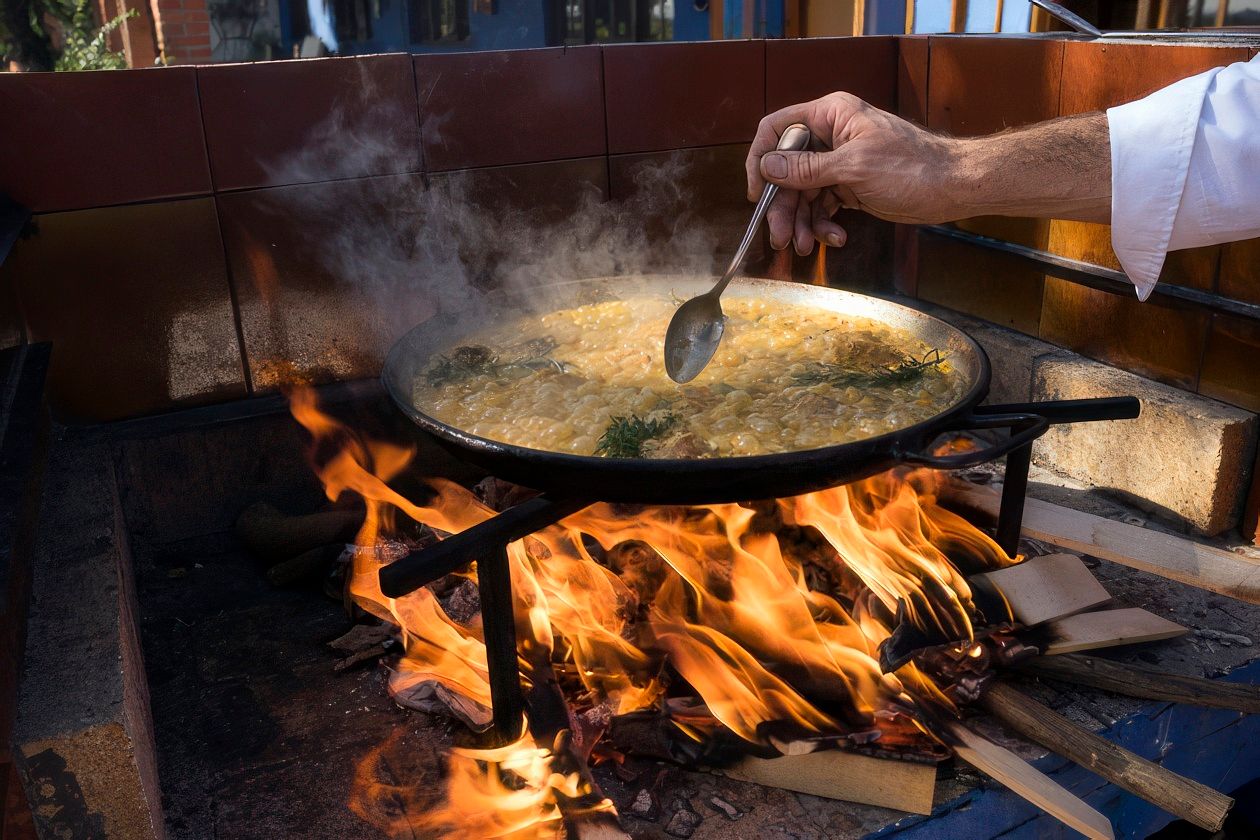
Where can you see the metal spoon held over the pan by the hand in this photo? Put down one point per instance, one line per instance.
(697, 327)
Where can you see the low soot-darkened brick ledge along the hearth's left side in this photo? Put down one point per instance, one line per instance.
(84, 740)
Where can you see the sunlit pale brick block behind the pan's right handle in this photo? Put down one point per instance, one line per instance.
(1188, 458)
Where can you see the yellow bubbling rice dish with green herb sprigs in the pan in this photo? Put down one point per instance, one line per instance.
(592, 381)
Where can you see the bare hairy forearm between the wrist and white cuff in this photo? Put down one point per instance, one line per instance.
(1059, 169)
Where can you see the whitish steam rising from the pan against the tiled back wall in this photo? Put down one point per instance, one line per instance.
(396, 249)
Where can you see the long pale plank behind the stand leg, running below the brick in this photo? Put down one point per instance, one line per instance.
(1165, 555)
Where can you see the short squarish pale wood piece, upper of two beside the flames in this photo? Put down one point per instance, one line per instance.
(1046, 587)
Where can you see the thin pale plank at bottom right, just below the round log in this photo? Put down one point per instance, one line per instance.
(1028, 781)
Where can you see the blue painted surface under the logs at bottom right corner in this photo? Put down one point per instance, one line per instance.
(1215, 747)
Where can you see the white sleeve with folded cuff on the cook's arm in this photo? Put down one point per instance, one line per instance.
(1186, 169)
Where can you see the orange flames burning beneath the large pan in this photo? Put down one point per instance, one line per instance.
(706, 600)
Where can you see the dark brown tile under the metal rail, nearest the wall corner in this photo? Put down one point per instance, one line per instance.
(987, 284)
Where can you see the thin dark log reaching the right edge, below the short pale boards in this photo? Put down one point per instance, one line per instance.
(1146, 683)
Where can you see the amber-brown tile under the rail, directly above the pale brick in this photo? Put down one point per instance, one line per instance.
(1155, 339)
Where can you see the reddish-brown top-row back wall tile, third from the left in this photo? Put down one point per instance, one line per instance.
(511, 108)
